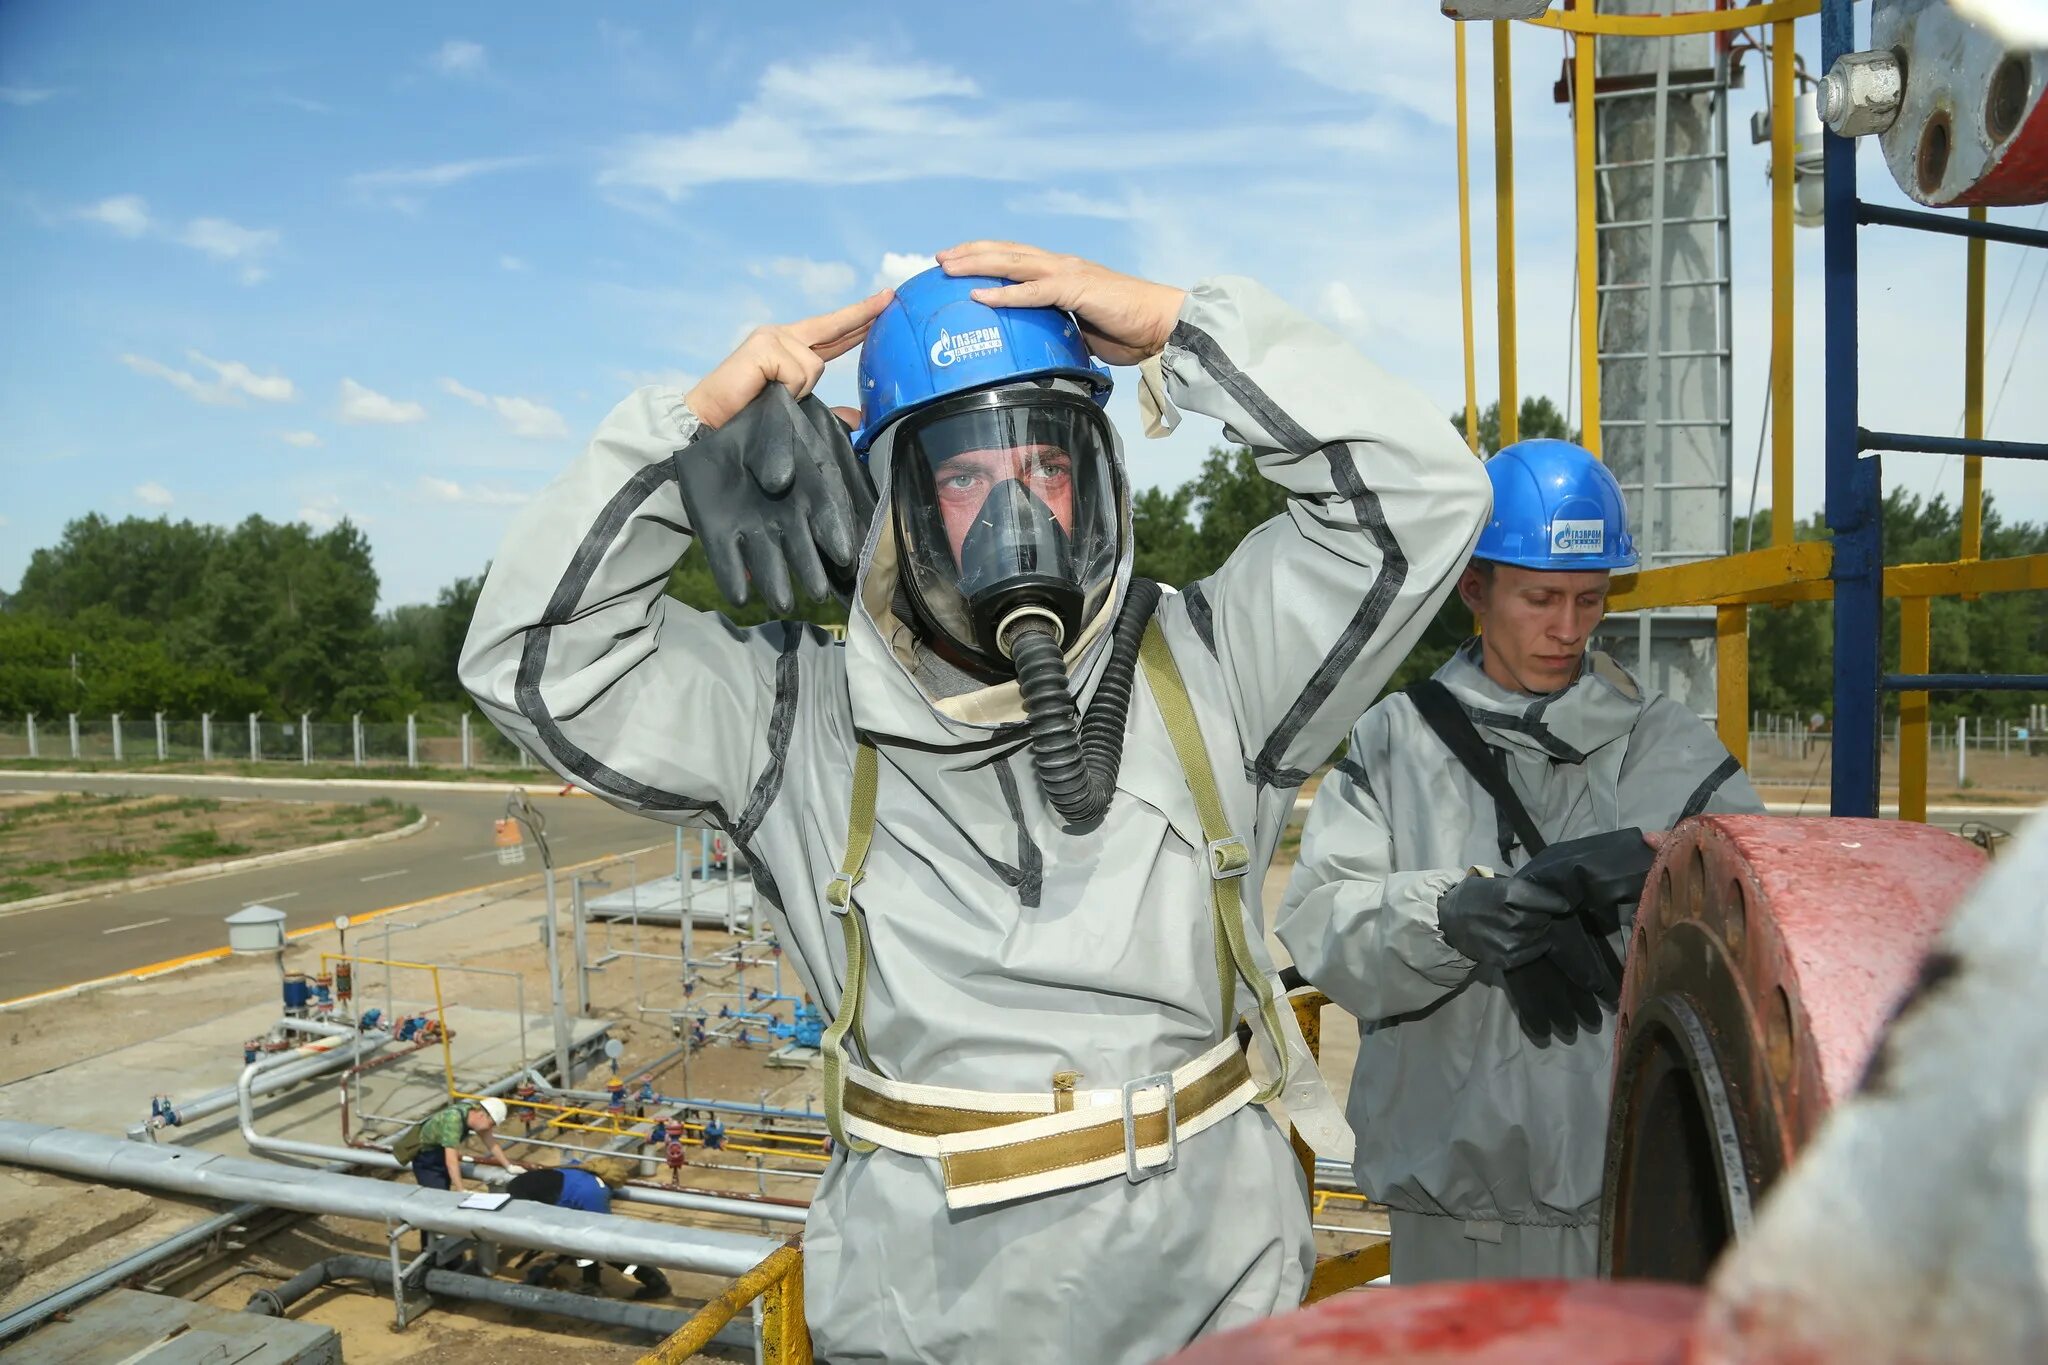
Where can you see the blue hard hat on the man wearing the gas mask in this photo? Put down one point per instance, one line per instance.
(935, 341)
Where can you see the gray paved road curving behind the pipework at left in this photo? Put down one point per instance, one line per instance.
(65, 944)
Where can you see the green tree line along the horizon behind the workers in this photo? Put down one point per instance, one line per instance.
(282, 619)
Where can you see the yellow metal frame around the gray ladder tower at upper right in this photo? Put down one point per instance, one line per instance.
(1789, 570)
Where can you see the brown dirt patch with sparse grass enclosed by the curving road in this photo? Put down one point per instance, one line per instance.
(52, 844)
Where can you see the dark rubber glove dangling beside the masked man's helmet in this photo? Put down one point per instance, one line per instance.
(779, 494)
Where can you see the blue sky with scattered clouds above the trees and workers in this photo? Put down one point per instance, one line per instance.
(394, 263)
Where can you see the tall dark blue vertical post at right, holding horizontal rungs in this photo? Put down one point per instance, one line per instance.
(1854, 498)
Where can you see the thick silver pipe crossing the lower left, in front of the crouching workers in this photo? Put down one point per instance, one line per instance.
(519, 1223)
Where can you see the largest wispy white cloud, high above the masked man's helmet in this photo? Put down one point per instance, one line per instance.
(859, 120)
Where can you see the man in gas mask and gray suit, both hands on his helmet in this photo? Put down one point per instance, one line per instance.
(1011, 867)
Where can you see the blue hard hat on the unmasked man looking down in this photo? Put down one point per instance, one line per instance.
(1555, 507)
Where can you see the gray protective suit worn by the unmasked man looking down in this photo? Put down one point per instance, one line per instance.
(1486, 1147)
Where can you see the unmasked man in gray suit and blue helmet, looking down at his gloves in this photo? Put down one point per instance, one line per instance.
(1469, 877)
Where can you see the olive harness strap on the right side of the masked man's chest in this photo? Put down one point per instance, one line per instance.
(1230, 856)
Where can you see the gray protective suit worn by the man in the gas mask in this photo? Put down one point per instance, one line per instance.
(1005, 949)
